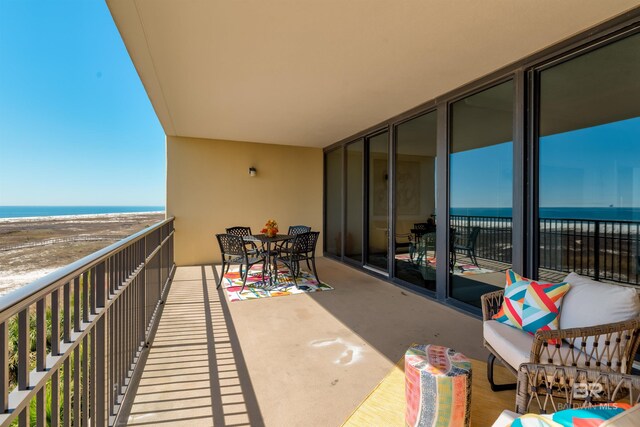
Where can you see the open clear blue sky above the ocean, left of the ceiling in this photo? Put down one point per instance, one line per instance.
(76, 126)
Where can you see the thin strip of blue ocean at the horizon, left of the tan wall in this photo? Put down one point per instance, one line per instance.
(31, 211)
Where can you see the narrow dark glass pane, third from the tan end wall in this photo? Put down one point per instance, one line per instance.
(377, 255)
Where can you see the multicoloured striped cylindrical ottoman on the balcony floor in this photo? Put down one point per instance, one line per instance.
(437, 387)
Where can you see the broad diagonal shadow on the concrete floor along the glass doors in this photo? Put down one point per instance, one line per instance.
(390, 317)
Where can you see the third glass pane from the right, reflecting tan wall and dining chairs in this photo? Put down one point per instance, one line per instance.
(415, 200)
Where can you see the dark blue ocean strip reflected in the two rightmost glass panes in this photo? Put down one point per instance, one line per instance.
(610, 213)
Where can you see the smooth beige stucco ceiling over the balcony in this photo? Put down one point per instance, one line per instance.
(313, 72)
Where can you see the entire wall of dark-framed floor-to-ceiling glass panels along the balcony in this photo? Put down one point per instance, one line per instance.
(575, 159)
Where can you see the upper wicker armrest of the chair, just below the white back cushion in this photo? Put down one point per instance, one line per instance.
(614, 346)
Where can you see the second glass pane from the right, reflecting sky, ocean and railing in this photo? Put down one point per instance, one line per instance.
(481, 188)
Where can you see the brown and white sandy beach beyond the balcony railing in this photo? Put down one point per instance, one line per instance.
(33, 247)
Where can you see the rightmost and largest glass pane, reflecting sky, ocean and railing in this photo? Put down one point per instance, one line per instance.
(589, 165)
